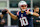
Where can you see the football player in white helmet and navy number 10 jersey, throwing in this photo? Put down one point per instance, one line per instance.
(24, 15)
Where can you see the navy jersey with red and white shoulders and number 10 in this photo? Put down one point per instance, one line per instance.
(24, 19)
